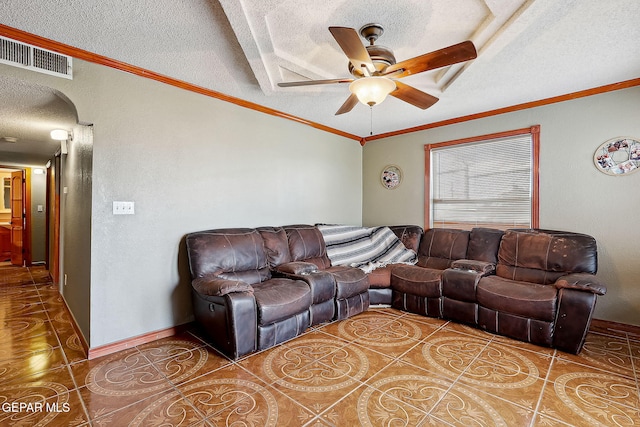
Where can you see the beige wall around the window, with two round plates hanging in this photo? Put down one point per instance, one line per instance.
(574, 195)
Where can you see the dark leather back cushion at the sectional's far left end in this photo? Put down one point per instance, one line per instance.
(232, 253)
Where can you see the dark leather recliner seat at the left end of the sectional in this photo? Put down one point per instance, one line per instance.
(236, 300)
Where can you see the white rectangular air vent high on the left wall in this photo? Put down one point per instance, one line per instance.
(34, 58)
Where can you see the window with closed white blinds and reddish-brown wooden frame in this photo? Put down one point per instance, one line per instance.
(486, 181)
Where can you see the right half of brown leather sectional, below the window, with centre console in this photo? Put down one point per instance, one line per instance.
(537, 286)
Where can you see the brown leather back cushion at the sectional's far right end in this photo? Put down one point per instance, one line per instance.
(541, 256)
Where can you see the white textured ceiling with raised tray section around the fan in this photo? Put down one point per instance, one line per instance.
(527, 50)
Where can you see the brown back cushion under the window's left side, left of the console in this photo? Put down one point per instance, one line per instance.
(439, 247)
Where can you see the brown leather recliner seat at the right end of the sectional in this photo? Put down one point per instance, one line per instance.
(544, 290)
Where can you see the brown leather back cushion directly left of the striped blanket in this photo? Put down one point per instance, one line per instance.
(307, 244)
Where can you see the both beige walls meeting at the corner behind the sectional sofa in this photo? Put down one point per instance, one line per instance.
(191, 162)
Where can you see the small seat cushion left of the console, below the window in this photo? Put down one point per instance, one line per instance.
(418, 281)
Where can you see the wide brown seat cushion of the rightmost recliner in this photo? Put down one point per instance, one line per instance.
(530, 300)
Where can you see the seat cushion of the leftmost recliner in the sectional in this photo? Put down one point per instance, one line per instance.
(278, 299)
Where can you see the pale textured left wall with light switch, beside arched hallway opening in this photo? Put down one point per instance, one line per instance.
(189, 162)
